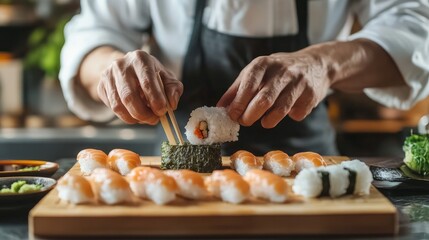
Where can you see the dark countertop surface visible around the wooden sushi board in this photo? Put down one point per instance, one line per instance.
(411, 201)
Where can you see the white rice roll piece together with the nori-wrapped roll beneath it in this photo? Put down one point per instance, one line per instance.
(206, 129)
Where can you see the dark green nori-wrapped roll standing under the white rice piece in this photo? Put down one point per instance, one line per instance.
(199, 158)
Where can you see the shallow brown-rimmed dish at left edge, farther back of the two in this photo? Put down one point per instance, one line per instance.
(10, 168)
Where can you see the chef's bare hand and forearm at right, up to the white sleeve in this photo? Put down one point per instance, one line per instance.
(292, 84)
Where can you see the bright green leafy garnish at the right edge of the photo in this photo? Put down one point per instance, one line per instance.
(416, 148)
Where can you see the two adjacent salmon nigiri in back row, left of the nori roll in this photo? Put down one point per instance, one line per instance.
(118, 160)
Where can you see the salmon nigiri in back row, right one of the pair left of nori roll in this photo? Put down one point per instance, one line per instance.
(123, 161)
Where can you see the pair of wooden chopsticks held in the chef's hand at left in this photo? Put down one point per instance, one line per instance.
(166, 124)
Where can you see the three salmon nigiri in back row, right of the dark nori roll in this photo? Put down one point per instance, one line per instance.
(277, 162)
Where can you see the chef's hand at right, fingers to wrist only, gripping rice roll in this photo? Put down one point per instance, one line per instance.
(274, 86)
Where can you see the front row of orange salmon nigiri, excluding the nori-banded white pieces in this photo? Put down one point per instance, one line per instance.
(161, 187)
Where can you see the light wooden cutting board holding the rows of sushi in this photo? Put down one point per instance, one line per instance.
(349, 215)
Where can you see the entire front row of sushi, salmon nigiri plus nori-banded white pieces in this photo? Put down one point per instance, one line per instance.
(105, 185)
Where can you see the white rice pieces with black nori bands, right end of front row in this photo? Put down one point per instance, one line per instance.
(349, 177)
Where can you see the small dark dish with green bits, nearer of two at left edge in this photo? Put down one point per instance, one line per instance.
(13, 199)
